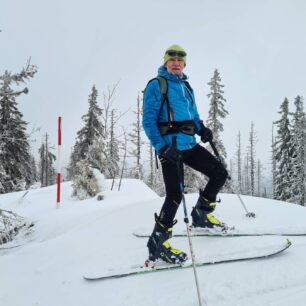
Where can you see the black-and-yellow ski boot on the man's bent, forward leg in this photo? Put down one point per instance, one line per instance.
(202, 217)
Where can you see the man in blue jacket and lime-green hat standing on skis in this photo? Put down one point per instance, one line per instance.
(178, 119)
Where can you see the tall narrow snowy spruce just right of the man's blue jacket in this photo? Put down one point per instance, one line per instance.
(217, 111)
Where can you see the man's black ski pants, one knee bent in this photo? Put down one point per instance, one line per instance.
(199, 159)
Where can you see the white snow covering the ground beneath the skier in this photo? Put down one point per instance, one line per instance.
(47, 266)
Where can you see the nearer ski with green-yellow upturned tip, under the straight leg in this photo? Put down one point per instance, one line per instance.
(159, 267)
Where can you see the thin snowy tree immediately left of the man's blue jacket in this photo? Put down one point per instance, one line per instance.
(136, 140)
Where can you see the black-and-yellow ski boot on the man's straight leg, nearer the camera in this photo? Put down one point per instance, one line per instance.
(159, 246)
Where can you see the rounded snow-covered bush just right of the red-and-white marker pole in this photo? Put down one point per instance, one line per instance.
(86, 181)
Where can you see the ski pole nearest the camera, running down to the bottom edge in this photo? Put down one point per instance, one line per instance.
(186, 220)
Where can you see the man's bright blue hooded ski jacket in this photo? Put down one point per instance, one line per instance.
(183, 104)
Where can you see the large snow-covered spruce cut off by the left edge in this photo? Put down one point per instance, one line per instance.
(15, 156)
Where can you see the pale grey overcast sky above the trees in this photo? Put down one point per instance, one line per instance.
(259, 48)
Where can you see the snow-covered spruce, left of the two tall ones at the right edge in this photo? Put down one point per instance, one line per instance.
(283, 155)
